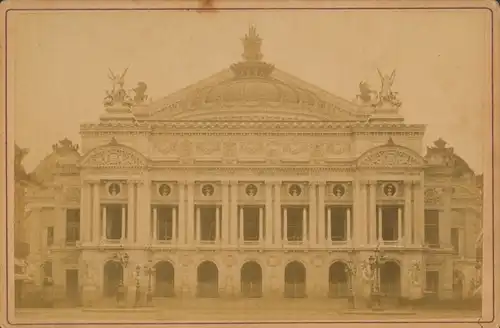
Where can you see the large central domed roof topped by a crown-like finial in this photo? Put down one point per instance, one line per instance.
(252, 88)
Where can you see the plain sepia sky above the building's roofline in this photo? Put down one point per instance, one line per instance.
(58, 63)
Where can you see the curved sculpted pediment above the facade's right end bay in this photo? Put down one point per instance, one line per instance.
(390, 156)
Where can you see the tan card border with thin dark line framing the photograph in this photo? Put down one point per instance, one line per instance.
(8, 271)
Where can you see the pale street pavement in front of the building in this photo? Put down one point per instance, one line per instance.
(233, 310)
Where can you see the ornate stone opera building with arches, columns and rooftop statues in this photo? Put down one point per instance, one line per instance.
(254, 183)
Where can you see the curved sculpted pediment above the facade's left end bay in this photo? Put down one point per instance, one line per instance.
(113, 155)
